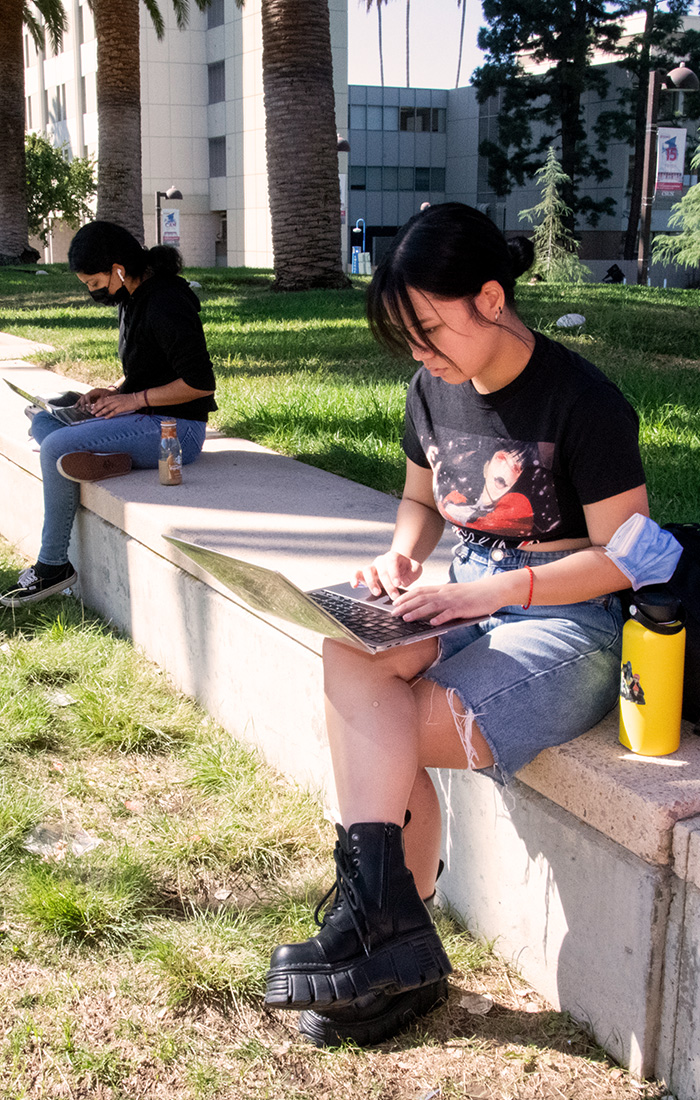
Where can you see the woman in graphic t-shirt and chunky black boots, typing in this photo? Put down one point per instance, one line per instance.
(531, 454)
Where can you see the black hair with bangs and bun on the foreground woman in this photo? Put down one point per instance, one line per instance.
(449, 251)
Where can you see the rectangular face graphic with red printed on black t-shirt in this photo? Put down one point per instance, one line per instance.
(500, 487)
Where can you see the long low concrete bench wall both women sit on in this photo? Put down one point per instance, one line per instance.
(585, 870)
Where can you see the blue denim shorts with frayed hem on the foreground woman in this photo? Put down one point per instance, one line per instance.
(530, 679)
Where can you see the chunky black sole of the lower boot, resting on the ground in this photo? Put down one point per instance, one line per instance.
(379, 1021)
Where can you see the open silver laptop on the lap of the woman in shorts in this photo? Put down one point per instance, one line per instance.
(340, 611)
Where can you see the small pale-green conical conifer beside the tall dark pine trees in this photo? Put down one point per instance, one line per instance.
(556, 249)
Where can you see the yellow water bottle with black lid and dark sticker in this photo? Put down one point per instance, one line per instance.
(652, 681)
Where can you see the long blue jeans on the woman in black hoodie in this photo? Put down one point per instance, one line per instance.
(138, 436)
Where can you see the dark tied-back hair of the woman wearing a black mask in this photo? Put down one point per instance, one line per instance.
(100, 245)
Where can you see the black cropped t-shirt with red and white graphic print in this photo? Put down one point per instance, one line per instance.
(519, 465)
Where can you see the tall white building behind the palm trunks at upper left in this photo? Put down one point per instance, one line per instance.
(203, 120)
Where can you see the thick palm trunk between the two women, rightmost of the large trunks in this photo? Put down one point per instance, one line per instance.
(301, 142)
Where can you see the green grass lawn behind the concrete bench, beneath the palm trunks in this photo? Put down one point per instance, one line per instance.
(301, 375)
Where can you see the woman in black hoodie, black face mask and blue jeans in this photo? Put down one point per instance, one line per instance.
(167, 373)
